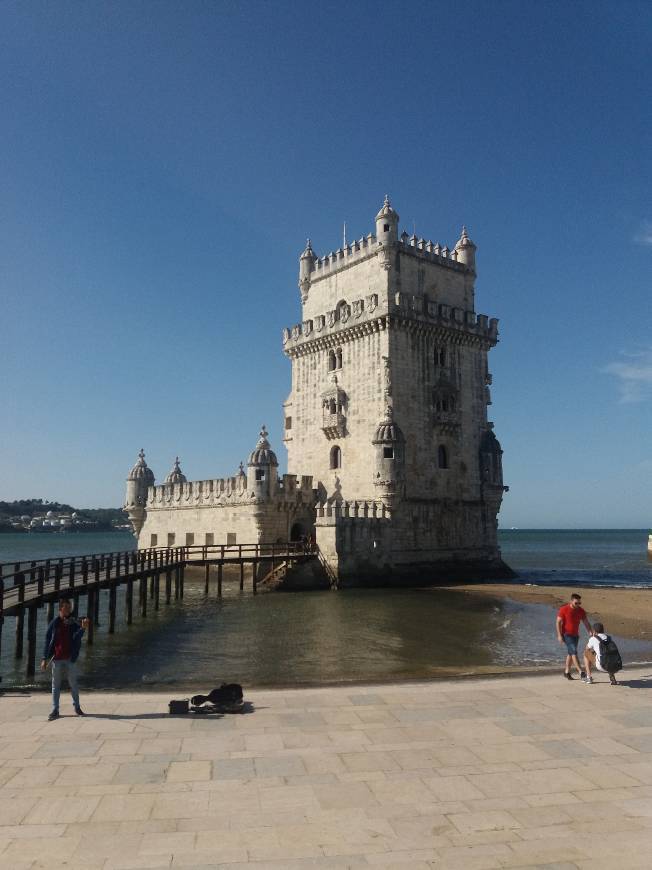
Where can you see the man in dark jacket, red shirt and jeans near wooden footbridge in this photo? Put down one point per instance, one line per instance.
(62, 645)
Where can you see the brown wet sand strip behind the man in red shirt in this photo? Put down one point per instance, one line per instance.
(625, 612)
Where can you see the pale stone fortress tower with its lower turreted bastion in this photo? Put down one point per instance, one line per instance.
(394, 466)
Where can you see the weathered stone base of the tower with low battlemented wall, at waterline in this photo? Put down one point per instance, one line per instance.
(418, 542)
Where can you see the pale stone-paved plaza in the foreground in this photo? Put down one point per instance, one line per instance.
(513, 772)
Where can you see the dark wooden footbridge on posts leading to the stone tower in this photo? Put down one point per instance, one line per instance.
(146, 575)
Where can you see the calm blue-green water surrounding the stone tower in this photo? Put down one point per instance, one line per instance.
(321, 637)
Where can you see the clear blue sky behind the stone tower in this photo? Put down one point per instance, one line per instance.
(161, 165)
